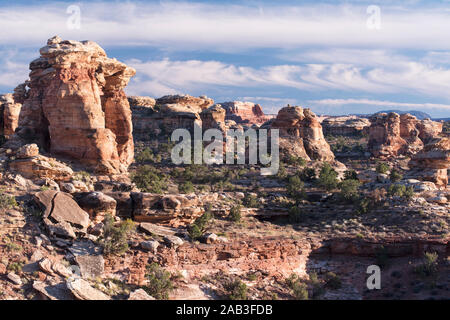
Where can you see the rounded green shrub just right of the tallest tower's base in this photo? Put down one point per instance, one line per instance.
(149, 179)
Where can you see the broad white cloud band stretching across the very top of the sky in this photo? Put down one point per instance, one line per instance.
(183, 26)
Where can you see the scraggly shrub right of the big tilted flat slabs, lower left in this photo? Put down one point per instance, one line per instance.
(115, 238)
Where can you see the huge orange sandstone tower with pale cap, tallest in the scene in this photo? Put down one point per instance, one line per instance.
(76, 106)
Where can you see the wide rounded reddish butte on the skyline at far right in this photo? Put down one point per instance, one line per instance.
(393, 135)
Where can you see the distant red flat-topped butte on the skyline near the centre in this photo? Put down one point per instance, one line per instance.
(245, 112)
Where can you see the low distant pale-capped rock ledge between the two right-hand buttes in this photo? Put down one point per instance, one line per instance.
(346, 126)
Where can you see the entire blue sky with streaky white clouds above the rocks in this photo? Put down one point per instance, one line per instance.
(336, 57)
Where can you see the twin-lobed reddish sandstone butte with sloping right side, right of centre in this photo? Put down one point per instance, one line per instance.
(301, 134)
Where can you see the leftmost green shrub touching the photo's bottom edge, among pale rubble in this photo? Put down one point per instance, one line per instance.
(159, 282)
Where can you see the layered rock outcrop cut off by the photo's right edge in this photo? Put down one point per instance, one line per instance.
(433, 162)
